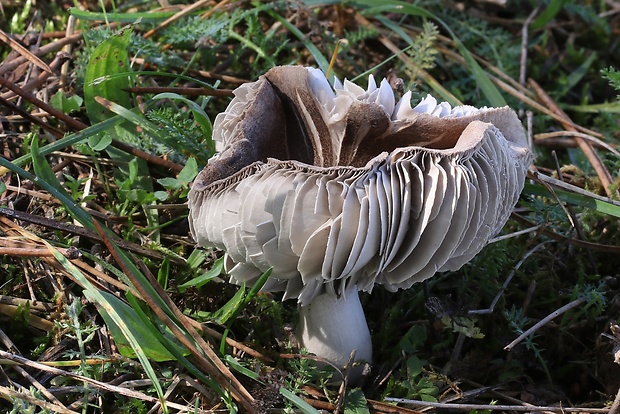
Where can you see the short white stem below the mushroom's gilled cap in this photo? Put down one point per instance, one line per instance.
(331, 328)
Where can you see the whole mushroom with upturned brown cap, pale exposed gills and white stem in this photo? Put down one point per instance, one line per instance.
(340, 189)
